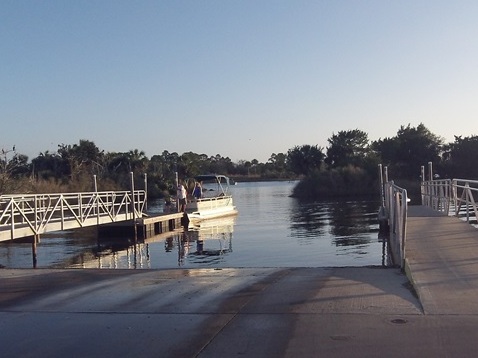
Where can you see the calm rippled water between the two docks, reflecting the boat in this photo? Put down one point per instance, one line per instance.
(271, 230)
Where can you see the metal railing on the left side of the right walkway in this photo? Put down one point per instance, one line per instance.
(396, 207)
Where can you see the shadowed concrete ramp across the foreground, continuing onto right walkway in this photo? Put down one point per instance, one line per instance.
(264, 312)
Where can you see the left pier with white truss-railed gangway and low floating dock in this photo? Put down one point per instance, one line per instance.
(114, 213)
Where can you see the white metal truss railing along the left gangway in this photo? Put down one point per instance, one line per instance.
(27, 215)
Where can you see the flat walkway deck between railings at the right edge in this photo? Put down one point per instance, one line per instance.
(442, 261)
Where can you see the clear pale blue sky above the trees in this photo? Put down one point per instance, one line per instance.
(242, 79)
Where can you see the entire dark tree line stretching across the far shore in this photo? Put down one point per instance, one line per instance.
(347, 166)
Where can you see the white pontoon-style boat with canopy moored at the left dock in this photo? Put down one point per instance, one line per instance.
(215, 200)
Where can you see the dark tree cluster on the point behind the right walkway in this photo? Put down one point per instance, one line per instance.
(349, 164)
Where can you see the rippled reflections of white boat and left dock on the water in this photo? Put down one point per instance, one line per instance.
(202, 245)
